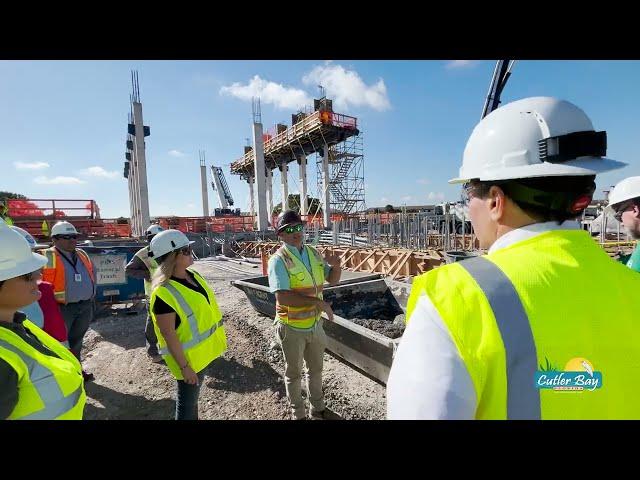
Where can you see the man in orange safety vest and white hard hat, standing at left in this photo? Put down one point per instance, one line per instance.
(70, 271)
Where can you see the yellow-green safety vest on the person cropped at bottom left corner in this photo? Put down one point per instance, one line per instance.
(49, 388)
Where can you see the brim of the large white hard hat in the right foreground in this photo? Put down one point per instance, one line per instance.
(577, 167)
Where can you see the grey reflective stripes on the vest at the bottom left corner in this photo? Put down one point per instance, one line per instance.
(45, 383)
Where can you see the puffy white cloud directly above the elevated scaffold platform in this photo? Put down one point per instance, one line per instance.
(347, 88)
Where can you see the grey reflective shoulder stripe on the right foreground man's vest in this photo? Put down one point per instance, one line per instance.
(523, 398)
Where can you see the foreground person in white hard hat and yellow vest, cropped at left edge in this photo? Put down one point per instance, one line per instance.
(39, 378)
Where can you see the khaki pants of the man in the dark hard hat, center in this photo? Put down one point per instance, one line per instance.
(298, 345)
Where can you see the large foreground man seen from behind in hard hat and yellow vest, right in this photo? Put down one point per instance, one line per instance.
(496, 336)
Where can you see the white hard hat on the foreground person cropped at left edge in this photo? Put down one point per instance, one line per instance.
(16, 257)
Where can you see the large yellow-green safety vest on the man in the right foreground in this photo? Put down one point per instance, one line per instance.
(535, 308)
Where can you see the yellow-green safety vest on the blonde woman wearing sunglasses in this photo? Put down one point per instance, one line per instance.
(200, 332)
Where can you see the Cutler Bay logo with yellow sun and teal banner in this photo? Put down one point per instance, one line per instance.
(578, 375)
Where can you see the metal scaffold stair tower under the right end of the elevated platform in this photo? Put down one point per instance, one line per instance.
(346, 179)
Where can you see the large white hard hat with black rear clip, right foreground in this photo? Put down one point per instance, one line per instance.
(535, 137)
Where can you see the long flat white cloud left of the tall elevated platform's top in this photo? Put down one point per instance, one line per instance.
(269, 93)
